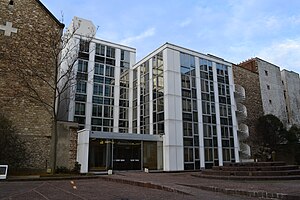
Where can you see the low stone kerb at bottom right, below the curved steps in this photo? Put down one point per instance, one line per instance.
(259, 194)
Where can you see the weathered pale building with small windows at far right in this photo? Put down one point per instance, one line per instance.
(278, 90)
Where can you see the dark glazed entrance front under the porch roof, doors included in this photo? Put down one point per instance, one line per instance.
(105, 154)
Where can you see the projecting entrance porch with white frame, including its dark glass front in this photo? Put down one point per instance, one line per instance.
(99, 151)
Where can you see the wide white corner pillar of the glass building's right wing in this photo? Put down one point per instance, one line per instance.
(173, 138)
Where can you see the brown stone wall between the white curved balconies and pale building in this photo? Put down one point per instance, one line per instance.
(250, 81)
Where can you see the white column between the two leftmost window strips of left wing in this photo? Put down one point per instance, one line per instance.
(90, 84)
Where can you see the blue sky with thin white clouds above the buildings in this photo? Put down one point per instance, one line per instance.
(235, 30)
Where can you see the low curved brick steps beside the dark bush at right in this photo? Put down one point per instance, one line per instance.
(253, 171)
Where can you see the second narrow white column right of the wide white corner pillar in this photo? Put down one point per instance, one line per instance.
(219, 135)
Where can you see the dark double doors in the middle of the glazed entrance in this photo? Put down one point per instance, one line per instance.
(127, 155)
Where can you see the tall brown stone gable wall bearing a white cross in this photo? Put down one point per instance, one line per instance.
(28, 56)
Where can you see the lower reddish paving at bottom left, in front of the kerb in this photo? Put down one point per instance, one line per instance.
(99, 189)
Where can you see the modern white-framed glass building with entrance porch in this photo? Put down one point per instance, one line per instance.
(173, 110)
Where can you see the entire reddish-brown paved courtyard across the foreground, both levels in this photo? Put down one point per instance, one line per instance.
(140, 185)
